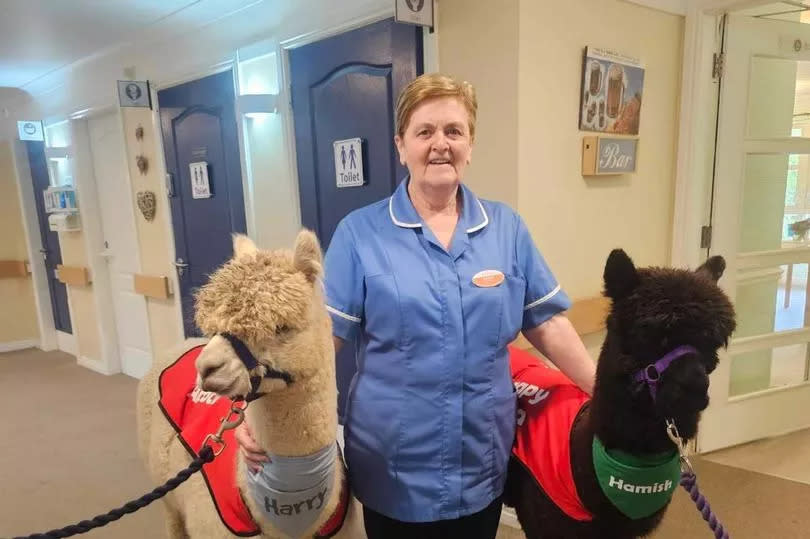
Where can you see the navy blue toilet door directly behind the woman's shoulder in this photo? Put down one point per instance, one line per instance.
(346, 87)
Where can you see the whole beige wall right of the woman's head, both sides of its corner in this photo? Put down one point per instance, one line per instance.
(525, 60)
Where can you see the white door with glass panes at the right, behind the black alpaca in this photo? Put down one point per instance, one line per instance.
(762, 186)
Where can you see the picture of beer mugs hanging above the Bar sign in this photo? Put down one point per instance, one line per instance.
(612, 88)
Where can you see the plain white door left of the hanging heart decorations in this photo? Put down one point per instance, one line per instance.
(120, 242)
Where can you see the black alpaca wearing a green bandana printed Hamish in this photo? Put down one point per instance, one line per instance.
(654, 311)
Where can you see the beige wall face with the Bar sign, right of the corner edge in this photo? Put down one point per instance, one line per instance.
(577, 221)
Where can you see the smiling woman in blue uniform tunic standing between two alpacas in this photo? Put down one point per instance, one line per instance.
(433, 283)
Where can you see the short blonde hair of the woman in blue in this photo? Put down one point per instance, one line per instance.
(431, 86)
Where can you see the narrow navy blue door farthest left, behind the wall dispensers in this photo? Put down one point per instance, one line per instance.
(51, 251)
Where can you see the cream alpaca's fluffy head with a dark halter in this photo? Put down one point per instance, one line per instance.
(272, 301)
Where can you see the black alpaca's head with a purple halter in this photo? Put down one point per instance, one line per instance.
(656, 310)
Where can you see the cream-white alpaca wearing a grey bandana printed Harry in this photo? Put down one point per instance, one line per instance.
(272, 301)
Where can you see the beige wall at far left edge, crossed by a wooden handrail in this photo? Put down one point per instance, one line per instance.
(18, 319)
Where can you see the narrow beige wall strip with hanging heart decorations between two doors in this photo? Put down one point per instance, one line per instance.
(154, 241)
